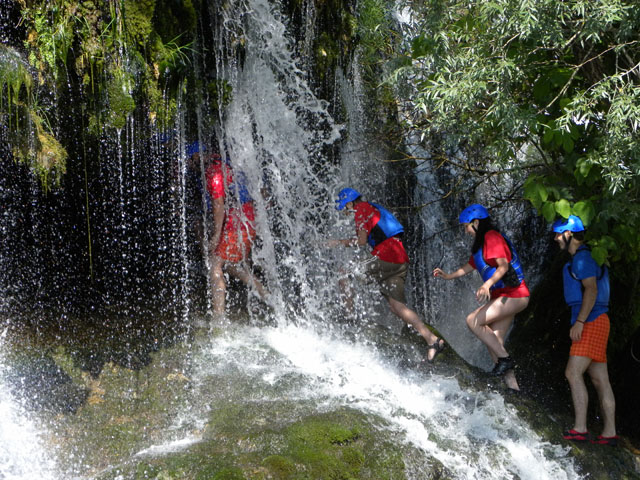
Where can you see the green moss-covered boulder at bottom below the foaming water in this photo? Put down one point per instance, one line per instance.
(339, 444)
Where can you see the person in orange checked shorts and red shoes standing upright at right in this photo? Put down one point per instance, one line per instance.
(586, 291)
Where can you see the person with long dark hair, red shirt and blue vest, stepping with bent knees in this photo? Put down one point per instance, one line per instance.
(503, 293)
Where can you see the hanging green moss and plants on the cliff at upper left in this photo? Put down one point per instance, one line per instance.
(124, 53)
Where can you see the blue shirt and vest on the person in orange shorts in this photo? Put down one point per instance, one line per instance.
(583, 266)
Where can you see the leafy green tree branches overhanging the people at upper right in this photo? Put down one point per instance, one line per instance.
(545, 87)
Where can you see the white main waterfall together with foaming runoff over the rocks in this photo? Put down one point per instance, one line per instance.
(275, 131)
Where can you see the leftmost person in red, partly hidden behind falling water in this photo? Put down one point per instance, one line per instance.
(232, 230)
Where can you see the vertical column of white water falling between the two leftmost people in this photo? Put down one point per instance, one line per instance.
(274, 130)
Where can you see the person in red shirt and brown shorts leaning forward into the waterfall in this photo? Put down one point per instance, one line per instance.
(389, 261)
